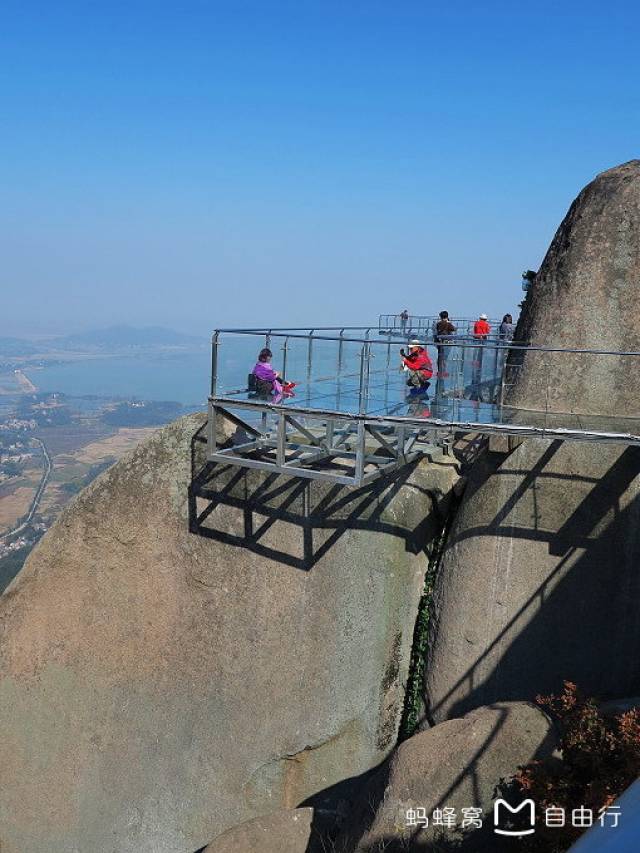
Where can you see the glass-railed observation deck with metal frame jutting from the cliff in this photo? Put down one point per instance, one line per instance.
(352, 415)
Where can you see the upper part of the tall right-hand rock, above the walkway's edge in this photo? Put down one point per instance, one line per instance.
(586, 296)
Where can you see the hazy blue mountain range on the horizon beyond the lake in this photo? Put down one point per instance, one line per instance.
(110, 338)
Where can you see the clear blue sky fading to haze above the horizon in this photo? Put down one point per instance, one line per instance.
(229, 163)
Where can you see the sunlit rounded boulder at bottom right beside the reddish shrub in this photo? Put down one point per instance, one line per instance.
(457, 764)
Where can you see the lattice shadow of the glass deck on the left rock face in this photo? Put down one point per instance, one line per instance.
(243, 507)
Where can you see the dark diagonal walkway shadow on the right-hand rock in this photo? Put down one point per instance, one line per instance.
(578, 605)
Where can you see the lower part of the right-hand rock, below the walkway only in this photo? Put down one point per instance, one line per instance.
(539, 581)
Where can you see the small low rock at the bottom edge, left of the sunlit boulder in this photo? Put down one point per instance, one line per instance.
(284, 831)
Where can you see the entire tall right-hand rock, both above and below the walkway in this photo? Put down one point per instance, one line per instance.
(539, 579)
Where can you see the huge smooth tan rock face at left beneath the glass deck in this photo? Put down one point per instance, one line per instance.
(173, 663)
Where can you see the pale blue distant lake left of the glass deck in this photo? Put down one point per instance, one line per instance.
(182, 377)
